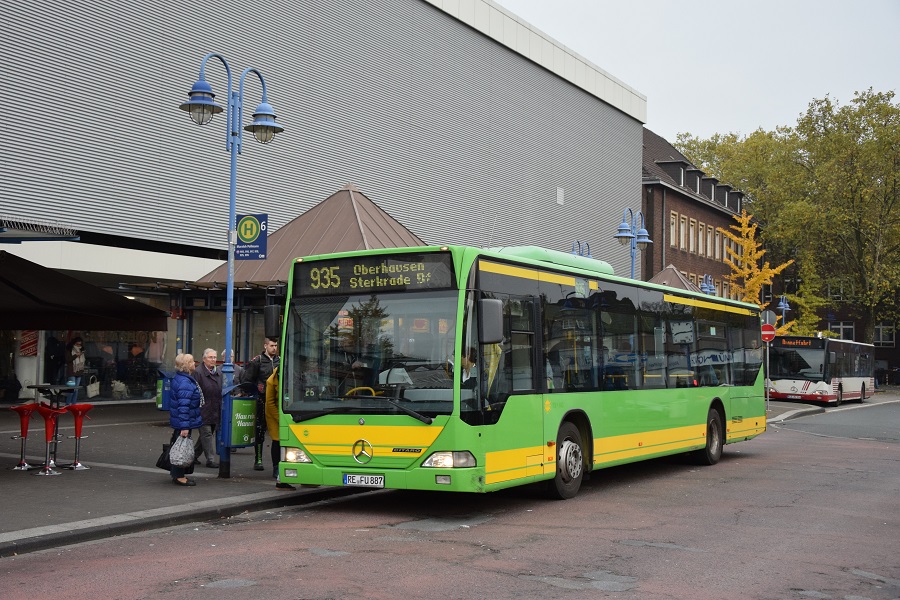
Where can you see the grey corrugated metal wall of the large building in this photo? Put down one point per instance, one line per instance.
(454, 135)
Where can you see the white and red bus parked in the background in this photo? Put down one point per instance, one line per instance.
(825, 370)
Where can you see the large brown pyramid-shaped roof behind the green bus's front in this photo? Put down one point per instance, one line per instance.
(345, 221)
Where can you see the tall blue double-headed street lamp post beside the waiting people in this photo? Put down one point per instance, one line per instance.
(202, 107)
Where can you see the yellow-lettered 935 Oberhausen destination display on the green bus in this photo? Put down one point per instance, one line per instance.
(370, 274)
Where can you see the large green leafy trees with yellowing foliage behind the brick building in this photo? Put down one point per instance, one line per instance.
(825, 193)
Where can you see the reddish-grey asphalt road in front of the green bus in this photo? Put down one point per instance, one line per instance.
(792, 514)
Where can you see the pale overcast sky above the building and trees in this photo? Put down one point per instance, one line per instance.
(719, 66)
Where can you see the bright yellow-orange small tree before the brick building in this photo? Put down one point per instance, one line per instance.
(748, 273)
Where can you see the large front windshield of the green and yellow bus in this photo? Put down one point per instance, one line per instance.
(373, 353)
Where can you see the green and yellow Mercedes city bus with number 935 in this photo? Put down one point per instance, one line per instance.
(473, 370)
